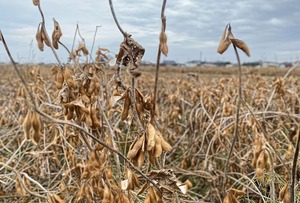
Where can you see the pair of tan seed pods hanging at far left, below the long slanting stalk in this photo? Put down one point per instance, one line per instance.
(32, 121)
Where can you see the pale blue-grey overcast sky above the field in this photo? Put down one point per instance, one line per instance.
(271, 28)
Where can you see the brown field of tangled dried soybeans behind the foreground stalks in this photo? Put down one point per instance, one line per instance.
(196, 116)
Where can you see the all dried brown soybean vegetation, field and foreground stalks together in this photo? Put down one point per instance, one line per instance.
(90, 133)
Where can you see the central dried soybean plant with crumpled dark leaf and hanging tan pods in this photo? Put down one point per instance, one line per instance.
(148, 141)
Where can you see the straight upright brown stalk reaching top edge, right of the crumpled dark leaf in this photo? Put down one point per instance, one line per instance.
(163, 22)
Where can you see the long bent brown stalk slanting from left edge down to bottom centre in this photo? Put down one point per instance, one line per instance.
(37, 109)
